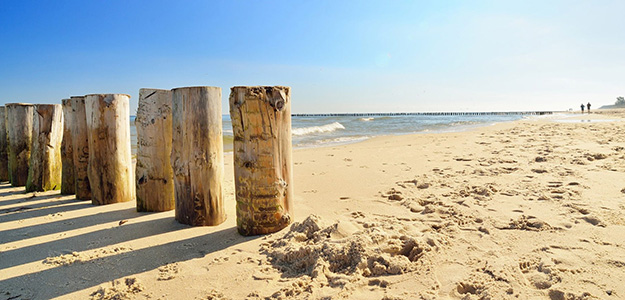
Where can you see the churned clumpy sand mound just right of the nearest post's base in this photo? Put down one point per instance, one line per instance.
(314, 249)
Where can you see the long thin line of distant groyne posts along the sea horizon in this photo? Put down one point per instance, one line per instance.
(502, 113)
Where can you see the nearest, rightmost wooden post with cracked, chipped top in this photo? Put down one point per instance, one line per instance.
(261, 122)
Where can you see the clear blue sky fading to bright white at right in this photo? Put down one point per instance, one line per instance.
(337, 56)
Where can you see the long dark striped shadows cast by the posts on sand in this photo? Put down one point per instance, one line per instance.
(58, 281)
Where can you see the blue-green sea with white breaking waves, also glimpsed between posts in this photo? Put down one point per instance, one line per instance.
(319, 131)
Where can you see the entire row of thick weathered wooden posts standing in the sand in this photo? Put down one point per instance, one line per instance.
(82, 147)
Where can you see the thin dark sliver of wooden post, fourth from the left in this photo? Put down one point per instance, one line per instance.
(68, 182)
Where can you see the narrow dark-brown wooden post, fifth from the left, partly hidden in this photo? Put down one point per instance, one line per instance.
(80, 142)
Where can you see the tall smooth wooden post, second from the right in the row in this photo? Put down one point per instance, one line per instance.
(197, 155)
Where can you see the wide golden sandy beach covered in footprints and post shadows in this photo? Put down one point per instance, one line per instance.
(531, 209)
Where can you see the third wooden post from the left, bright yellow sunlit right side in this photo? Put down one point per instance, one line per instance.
(45, 169)
